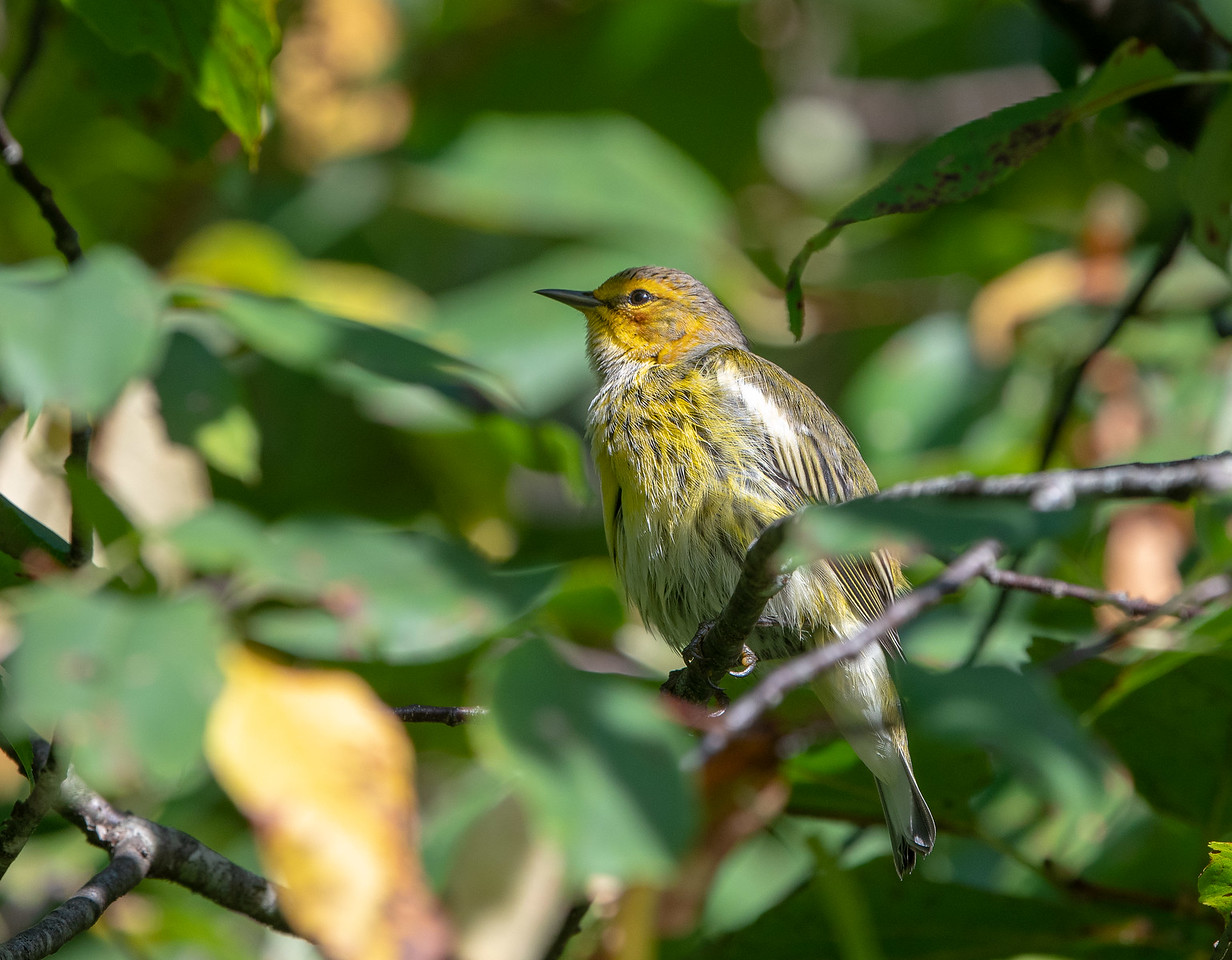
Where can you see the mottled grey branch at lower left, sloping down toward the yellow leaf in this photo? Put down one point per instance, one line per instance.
(172, 855)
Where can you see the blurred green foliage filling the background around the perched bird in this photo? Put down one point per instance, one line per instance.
(363, 445)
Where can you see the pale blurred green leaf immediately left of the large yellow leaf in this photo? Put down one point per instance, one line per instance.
(125, 681)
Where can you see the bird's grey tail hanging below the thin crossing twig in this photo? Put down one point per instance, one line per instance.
(861, 698)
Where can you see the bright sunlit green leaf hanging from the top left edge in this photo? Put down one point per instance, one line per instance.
(222, 50)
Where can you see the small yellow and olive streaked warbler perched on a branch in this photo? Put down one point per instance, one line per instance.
(699, 445)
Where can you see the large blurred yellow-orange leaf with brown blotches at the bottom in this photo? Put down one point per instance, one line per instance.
(325, 773)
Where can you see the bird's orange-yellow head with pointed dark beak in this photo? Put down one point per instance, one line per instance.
(650, 315)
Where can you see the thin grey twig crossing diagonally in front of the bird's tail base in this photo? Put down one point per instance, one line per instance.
(804, 669)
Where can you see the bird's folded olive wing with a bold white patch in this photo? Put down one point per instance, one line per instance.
(813, 457)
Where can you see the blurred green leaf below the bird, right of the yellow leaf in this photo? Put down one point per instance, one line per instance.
(597, 761)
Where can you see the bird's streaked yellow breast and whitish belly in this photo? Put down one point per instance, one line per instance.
(684, 490)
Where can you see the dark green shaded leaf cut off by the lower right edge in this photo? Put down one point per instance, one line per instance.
(1170, 720)
